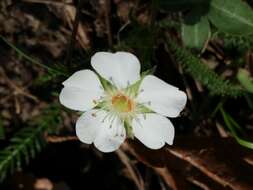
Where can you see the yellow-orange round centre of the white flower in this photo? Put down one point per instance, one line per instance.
(122, 103)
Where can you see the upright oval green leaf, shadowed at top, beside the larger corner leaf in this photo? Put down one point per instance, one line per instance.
(195, 31)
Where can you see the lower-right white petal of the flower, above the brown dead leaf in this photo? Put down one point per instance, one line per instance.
(153, 130)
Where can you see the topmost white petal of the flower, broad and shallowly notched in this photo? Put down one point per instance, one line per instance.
(121, 68)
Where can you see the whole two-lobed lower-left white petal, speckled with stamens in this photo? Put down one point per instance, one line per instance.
(106, 134)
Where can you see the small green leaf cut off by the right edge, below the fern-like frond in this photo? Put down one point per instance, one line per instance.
(245, 80)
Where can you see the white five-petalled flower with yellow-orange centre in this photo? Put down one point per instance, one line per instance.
(120, 103)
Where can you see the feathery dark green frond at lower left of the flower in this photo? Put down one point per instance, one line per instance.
(27, 142)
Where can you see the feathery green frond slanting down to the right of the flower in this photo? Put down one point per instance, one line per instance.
(199, 71)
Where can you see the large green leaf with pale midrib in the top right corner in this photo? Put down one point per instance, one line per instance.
(231, 16)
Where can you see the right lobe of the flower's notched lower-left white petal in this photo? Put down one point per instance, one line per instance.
(110, 136)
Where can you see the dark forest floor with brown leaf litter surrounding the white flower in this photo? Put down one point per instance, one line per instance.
(204, 154)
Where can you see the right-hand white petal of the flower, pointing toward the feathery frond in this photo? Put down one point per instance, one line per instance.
(161, 97)
